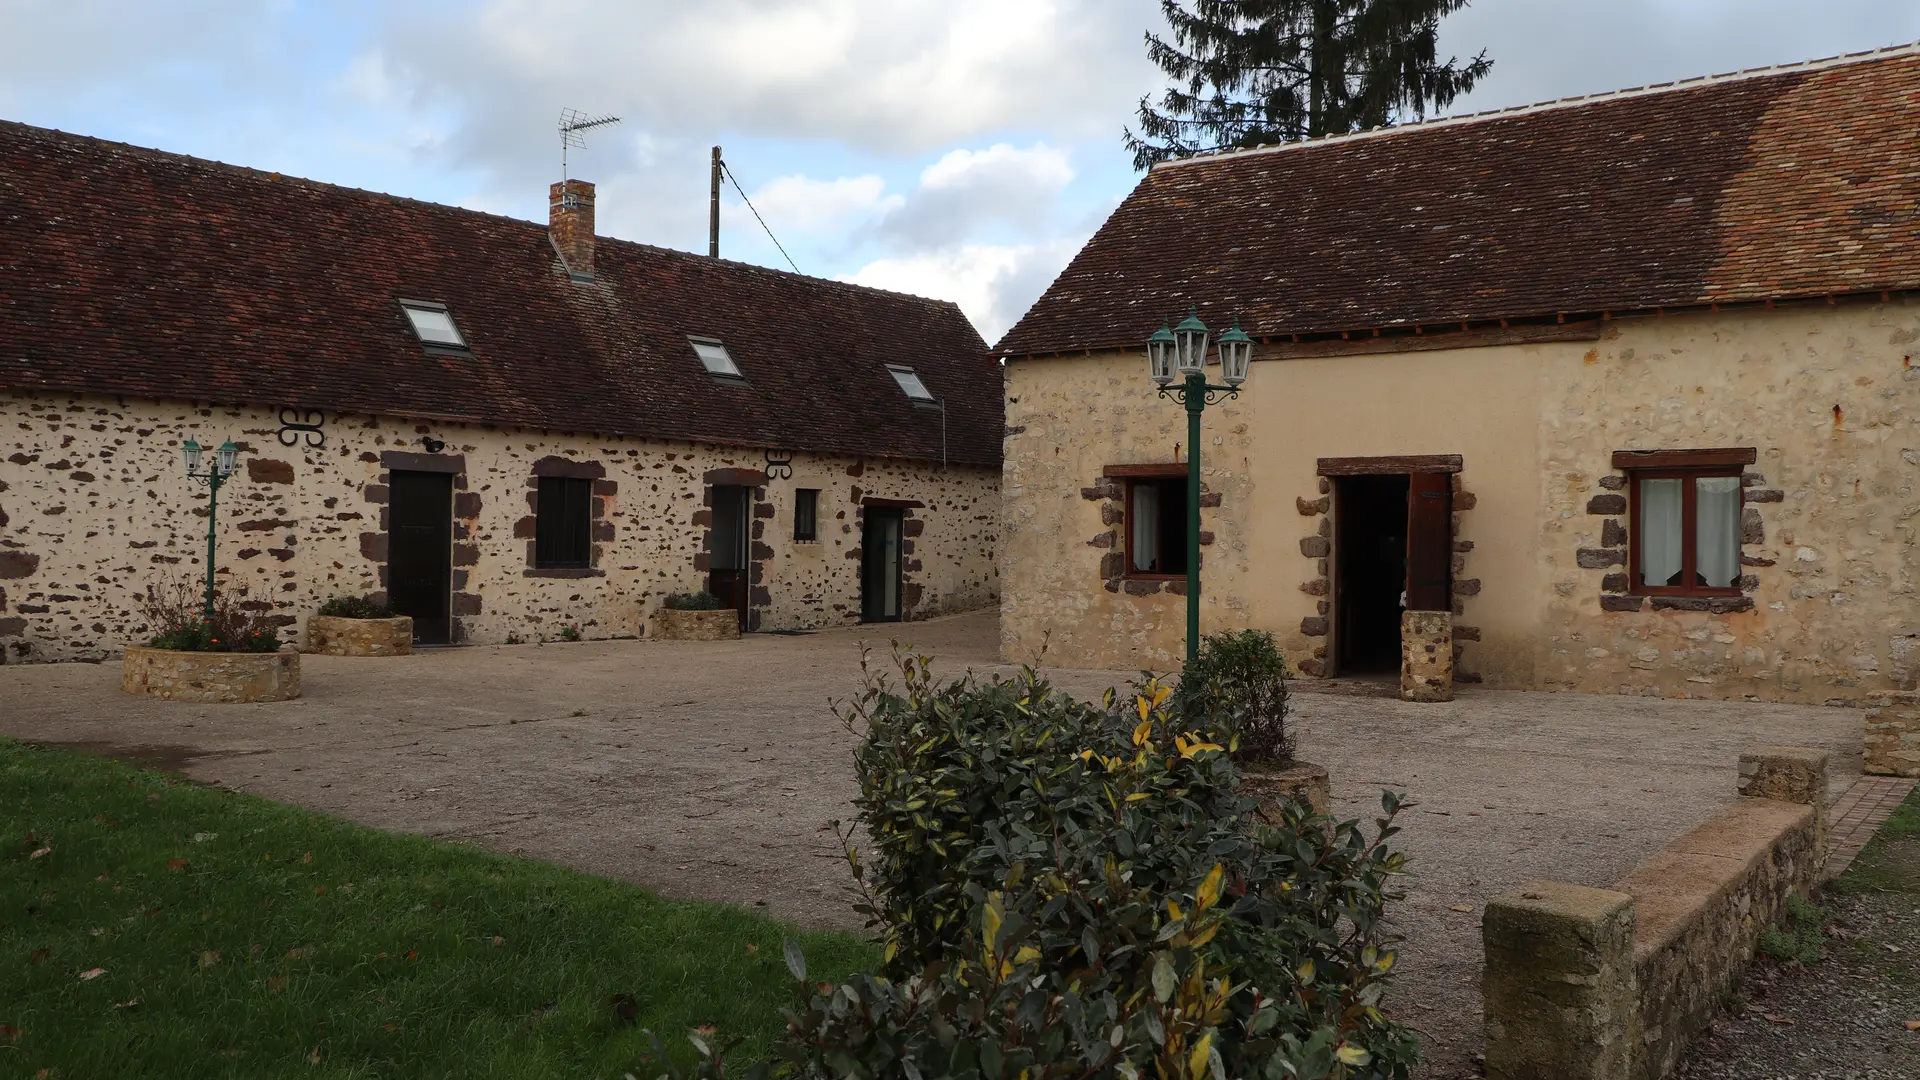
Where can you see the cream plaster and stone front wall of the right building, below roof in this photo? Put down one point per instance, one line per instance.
(1835, 602)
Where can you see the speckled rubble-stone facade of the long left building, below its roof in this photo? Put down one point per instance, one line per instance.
(95, 506)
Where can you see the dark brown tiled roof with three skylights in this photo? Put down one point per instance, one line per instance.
(147, 274)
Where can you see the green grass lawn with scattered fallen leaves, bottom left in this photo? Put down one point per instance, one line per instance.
(160, 929)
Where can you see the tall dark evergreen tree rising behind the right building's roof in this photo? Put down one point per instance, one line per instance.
(1255, 72)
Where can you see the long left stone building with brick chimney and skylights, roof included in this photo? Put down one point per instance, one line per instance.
(500, 428)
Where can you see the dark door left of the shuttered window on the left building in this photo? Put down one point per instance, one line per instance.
(420, 552)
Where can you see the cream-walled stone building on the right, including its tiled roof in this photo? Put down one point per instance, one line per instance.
(1629, 381)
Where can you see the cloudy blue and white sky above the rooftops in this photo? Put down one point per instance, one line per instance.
(957, 149)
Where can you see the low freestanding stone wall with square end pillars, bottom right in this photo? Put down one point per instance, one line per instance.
(1614, 985)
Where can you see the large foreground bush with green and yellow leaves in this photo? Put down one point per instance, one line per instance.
(1076, 891)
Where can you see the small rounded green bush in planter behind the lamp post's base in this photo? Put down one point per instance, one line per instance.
(1239, 685)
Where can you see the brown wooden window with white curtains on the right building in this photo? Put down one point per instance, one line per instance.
(1685, 520)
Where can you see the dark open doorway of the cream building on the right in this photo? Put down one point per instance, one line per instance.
(1372, 564)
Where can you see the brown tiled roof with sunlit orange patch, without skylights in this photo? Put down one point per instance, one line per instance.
(1764, 185)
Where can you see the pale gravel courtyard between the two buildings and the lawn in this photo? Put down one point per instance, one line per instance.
(713, 770)
